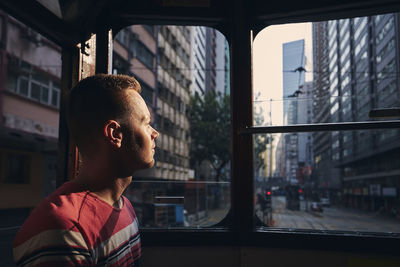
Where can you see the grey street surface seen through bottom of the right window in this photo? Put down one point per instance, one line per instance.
(331, 218)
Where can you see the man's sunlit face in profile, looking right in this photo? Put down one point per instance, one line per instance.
(138, 141)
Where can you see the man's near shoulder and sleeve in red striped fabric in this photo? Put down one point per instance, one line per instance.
(52, 231)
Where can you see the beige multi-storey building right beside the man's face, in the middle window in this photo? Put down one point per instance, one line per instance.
(159, 58)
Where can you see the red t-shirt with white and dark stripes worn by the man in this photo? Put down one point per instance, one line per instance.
(73, 227)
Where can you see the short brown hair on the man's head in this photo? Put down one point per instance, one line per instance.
(94, 101)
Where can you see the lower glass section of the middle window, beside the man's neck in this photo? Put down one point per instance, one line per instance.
(171, 203)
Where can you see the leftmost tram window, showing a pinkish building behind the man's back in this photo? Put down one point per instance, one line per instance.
(31, 67)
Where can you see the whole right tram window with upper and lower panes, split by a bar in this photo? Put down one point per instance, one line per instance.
(327, 72)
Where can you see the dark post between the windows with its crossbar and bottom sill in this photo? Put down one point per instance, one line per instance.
(239, 227)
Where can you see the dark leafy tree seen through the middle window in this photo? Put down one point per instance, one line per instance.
(210, 131)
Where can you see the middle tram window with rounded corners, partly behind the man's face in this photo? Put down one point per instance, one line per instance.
(184, 74)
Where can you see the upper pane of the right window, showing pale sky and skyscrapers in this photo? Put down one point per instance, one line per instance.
(316, 82)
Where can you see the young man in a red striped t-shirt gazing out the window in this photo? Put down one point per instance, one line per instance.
(87, 221)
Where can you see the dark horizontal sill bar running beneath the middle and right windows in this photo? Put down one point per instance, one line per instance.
(275, 238)
